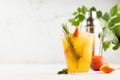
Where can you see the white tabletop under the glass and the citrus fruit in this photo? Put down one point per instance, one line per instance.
(49, 72)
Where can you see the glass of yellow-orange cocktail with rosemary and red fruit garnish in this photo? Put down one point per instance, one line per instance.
(78, 49)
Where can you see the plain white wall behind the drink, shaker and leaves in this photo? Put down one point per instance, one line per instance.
(30, 29)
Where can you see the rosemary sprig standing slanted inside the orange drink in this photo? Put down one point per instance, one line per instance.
(66, 32)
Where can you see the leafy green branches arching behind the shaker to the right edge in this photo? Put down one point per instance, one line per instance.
(110, 22)
